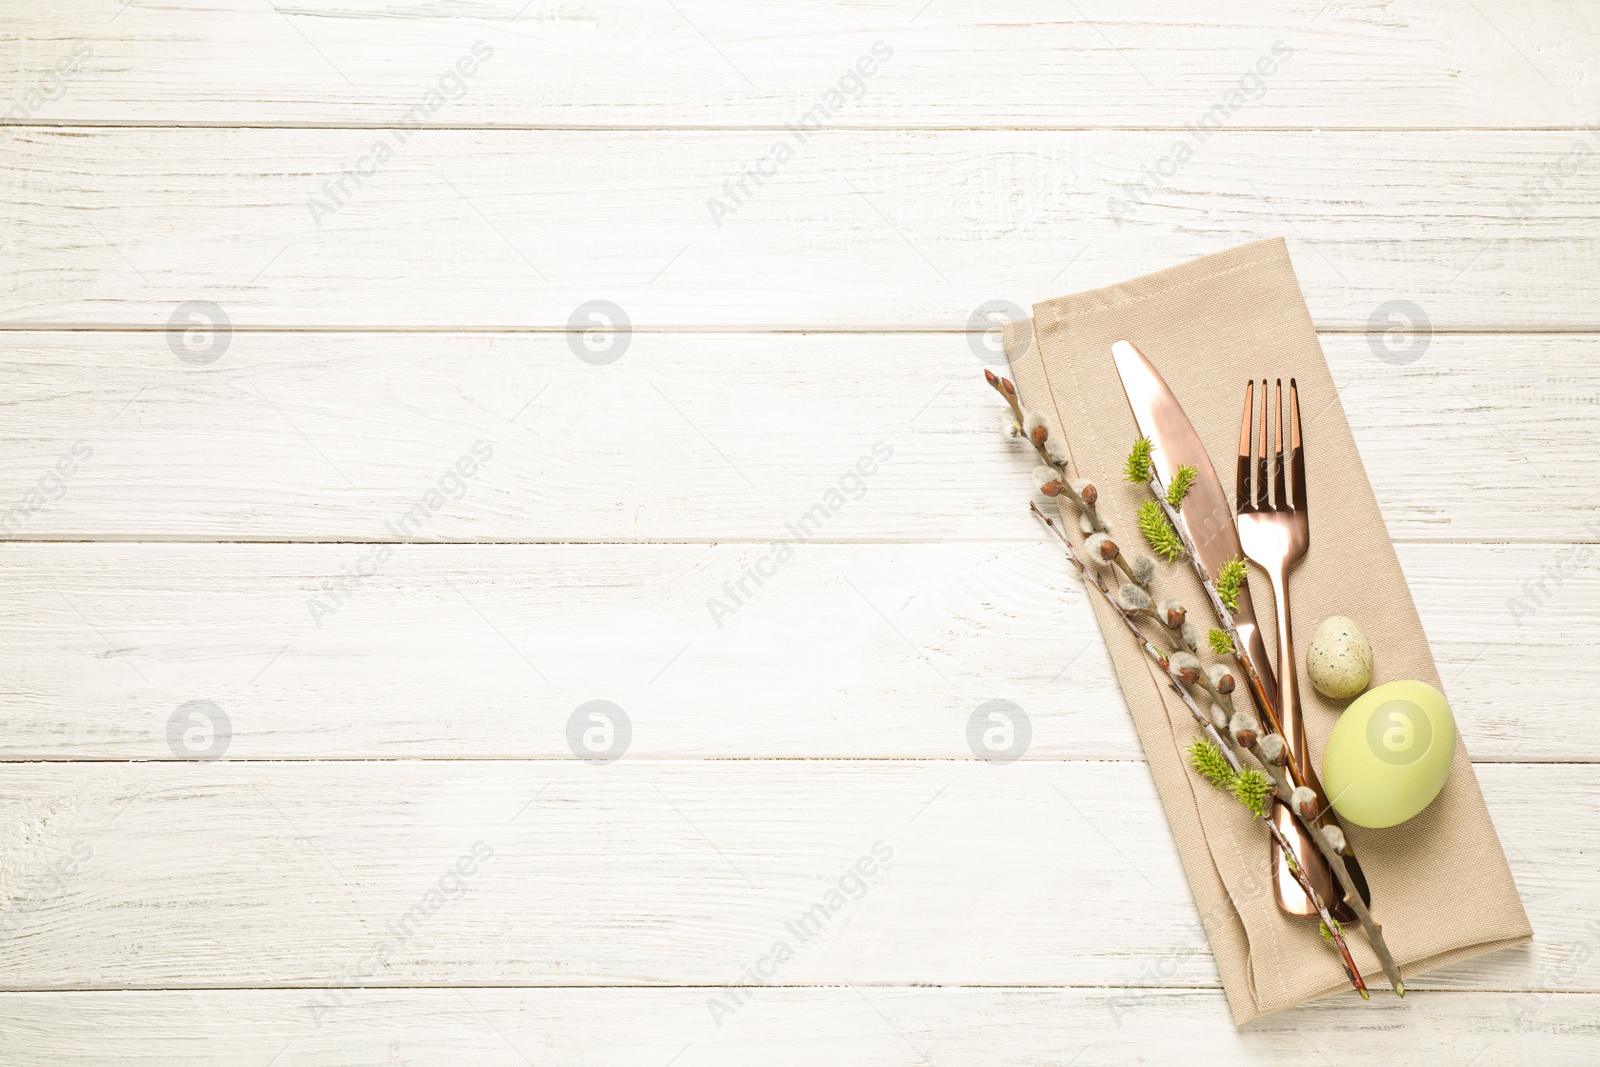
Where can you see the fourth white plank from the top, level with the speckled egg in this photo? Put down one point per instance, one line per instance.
(487, 652)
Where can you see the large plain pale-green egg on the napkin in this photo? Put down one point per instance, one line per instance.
(1390, 754)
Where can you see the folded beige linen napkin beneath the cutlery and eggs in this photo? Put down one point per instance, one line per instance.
(1441, 884)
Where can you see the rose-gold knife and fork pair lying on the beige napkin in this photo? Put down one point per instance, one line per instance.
(1273, 530)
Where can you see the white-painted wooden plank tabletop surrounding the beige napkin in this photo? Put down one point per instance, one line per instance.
(282, 286)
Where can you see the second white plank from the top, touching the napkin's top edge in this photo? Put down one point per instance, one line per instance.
(906, 230)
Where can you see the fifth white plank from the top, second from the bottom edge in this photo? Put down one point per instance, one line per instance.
(663, 873)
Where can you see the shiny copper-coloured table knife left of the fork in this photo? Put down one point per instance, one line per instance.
(1210, 526)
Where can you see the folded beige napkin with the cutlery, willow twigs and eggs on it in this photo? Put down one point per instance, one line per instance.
(1369, 764)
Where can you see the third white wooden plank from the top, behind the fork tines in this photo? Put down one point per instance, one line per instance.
(329, 438)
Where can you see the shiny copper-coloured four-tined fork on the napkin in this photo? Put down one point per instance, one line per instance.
(1276, 532)
